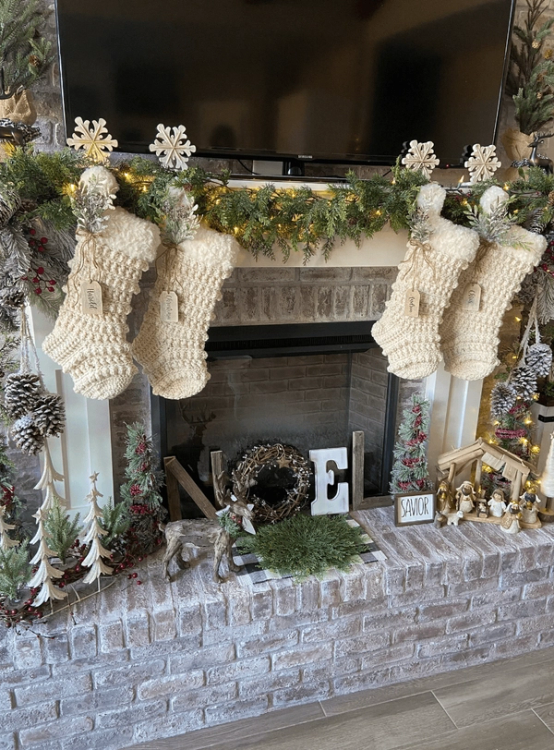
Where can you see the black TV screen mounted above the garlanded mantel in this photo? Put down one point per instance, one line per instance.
(340, 80)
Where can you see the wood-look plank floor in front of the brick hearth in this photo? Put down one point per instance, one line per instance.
(508, 705)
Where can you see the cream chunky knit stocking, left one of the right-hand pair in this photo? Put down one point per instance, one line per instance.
(431, 268)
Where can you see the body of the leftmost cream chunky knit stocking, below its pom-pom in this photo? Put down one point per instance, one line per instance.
(94, 349)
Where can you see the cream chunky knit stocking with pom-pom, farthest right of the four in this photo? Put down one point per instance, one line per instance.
(469, 331)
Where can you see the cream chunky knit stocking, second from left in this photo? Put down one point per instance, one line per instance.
(172, 353)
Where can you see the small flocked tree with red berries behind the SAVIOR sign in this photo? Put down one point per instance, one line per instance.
(409, 471)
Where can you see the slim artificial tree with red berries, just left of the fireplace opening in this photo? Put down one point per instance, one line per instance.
(141, 493)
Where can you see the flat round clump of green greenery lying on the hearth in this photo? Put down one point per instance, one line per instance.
(305, 545)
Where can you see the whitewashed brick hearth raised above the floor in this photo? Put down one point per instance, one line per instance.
(156, 660)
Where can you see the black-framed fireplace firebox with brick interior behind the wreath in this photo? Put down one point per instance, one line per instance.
(307, 386)
